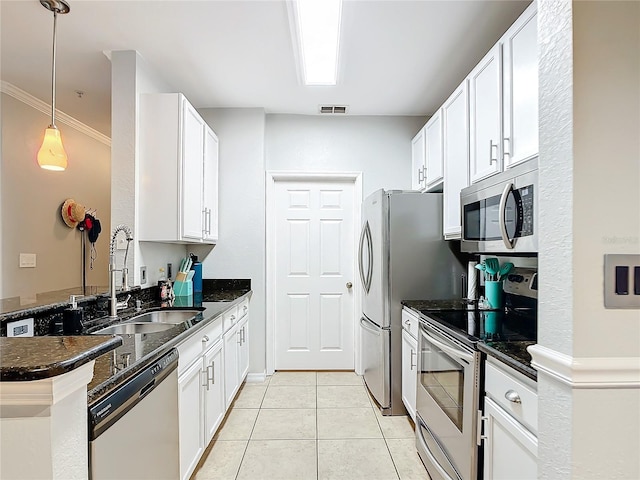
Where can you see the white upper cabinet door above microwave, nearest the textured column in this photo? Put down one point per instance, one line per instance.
(520, 77)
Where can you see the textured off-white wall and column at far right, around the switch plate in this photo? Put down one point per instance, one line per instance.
(589, 205)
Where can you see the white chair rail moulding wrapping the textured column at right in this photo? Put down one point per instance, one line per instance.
(586, 372)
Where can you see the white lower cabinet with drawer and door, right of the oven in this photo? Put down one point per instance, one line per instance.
(510, 425)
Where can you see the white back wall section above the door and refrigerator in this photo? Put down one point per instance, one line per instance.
(380, 147)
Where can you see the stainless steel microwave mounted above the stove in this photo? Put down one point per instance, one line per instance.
(499, 213)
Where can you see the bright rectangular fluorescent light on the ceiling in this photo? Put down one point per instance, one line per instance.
(318, 29)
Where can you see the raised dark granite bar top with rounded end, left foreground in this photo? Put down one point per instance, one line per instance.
(35, 358)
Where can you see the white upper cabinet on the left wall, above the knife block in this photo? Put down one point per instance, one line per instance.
(178, 172)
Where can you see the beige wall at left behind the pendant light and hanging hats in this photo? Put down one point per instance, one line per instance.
(32, 197)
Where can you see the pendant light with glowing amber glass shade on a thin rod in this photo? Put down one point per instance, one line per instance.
(51, 155)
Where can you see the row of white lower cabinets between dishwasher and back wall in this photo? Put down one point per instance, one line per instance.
(212, 365)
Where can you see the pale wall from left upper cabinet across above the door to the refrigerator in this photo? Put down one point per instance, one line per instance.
(251, 143)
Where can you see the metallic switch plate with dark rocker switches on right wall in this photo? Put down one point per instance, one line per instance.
(625, 281)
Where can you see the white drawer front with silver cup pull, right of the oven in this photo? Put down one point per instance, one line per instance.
(502, 382)
